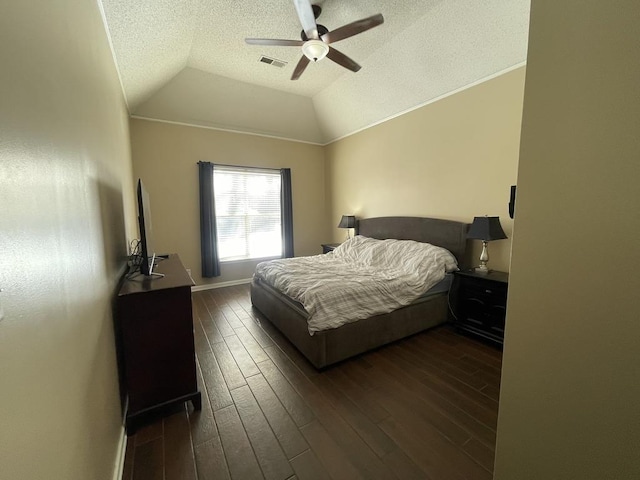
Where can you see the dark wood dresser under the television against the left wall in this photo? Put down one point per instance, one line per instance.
(154, 326)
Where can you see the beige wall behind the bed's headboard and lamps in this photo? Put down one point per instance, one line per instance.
(454, 159)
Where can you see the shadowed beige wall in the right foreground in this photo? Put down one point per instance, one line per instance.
(569, 404)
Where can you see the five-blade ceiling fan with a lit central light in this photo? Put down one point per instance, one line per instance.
(316, 38)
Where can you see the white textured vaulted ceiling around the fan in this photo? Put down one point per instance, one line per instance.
(186, 61)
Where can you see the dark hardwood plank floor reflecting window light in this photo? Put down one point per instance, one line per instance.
(421, 408)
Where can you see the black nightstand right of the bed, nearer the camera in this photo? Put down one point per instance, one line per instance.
(480, 303)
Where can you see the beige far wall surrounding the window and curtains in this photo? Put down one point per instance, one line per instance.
(165, 156)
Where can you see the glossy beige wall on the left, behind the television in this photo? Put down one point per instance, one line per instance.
(66, 211)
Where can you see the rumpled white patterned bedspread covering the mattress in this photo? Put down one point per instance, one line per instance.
(360, 278)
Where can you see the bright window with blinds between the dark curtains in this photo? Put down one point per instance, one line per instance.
(248, 212)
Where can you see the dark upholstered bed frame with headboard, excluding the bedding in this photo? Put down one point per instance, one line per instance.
(327, 347)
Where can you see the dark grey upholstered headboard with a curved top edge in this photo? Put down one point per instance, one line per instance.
(448, 234)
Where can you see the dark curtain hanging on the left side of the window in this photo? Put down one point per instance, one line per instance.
(208, 232)
